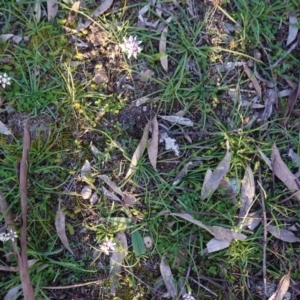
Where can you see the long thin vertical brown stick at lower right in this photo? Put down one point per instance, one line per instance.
(264, 219)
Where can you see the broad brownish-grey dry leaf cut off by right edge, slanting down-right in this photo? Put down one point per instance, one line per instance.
(281, 170)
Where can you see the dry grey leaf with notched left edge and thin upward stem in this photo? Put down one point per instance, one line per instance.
(213, 179)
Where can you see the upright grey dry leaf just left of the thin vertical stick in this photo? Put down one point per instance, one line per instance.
(247, 194)
